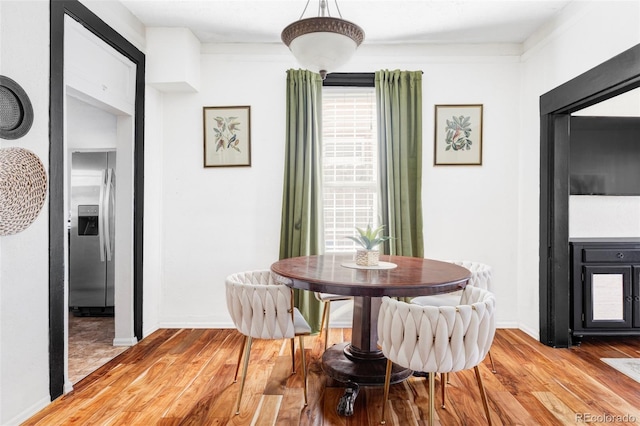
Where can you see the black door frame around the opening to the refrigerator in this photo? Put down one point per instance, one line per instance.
(57, 215)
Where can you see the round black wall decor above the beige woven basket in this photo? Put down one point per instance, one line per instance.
(16, 113)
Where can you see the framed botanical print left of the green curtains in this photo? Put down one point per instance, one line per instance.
(227, 136)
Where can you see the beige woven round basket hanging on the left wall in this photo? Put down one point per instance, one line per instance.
(23, 189)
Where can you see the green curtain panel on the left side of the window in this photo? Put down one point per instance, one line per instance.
(300, 233)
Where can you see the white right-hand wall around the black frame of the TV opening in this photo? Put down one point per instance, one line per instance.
(587, 34)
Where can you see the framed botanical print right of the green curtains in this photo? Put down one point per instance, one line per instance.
(458, 135)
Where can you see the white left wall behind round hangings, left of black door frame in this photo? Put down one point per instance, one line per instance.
(24, 273)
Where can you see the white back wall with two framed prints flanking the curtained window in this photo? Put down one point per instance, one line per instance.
(224, 220)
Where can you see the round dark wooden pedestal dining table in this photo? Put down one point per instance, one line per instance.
(360, 362)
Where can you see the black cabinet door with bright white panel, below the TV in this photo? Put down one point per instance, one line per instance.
(607, 297)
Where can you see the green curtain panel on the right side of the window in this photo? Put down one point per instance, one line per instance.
(399, 100)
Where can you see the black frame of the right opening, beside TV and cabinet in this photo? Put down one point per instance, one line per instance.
(611, 78)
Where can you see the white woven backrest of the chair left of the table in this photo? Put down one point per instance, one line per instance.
(260, 304)
